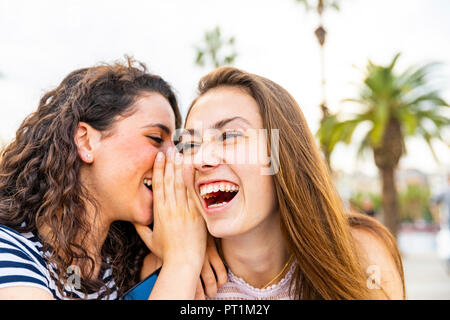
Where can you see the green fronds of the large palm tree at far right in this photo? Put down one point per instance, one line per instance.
(385, 94)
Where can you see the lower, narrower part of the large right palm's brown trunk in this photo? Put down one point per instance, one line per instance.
(390, 202)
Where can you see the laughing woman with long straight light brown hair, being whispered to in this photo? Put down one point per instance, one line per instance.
(283, 235)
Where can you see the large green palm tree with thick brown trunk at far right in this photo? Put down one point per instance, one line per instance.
(397, 105)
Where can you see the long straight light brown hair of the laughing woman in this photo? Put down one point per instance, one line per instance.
(313, 222)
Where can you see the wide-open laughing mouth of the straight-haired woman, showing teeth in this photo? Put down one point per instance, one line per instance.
(218, 194)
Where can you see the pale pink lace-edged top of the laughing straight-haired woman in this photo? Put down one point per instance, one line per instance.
(237, 289)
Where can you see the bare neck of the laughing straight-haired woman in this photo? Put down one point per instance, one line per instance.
(258, 255)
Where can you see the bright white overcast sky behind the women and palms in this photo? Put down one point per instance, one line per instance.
(42, 41)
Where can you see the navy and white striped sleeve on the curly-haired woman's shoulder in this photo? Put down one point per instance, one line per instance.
(19, 264)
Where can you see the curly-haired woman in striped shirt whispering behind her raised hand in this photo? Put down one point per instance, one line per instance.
(79, 174)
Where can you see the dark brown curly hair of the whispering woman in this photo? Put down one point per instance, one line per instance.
(40, 170)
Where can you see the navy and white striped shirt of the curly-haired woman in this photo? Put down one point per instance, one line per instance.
(23, 263)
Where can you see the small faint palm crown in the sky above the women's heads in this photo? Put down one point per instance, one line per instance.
(213, 48)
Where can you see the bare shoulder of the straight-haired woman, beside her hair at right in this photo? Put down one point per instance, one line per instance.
(380, 261)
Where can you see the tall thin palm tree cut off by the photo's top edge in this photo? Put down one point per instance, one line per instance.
(320, 6)
